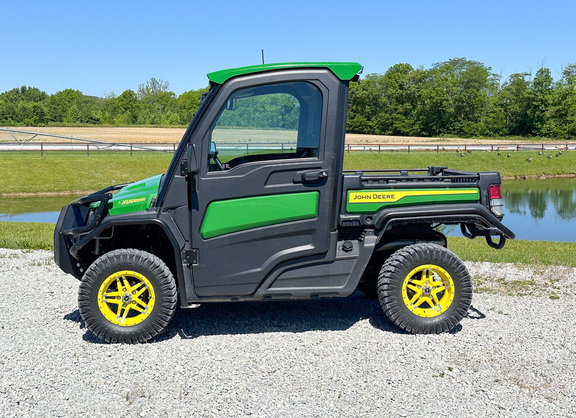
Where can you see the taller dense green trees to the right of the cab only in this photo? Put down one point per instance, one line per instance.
(464, 98)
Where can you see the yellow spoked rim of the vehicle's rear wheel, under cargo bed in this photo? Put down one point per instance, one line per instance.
(428, 291)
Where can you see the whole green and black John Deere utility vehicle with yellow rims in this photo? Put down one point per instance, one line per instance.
(255, 206)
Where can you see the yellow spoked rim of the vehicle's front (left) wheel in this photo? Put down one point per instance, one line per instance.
(126, 298)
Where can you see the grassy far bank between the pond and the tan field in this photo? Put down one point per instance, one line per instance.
(60, 171)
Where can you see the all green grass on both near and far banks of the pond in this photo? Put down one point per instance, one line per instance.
(70, 171)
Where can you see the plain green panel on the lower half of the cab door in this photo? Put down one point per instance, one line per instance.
(226, 216)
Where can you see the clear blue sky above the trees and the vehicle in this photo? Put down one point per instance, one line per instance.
(107, 47)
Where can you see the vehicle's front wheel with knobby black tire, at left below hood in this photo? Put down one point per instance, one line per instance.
(127, 296)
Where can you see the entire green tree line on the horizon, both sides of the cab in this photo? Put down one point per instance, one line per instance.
(458, 97)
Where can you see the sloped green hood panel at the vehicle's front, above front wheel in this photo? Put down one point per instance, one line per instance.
(134, 197)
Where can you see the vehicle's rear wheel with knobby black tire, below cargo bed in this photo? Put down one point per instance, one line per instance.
(424, 289)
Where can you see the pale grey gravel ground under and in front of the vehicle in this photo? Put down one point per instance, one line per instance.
(512, 355)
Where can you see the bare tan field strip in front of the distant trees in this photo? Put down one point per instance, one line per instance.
(139, 135)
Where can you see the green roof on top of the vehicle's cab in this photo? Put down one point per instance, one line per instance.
(342, 70)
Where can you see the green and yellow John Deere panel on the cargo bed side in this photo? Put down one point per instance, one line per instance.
(373, 200)
